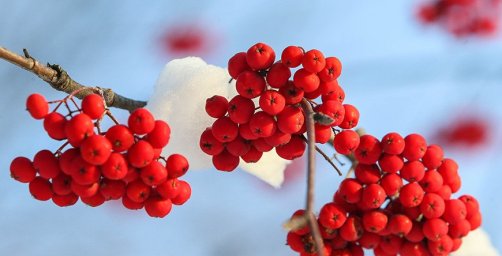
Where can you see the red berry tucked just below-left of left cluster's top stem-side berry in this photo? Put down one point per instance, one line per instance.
(78, 128)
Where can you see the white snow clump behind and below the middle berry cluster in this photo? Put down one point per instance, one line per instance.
(179, 98)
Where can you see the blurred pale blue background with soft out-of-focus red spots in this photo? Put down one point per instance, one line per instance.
(403, 76)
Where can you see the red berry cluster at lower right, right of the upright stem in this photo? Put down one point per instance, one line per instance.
(399, 202)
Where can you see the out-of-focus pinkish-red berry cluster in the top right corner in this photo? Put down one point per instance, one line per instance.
(463, 17)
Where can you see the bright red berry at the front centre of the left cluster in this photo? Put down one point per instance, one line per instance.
(96, 149)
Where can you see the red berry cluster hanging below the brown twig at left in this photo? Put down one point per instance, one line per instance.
(119, 163)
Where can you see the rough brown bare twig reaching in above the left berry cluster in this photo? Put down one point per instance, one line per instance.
(56, 77)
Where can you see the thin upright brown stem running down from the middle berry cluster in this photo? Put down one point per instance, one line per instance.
(309, 214)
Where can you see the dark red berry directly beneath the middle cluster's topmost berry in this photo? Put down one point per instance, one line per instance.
(250, 84)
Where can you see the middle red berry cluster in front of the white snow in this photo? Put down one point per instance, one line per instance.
(267, 112)
